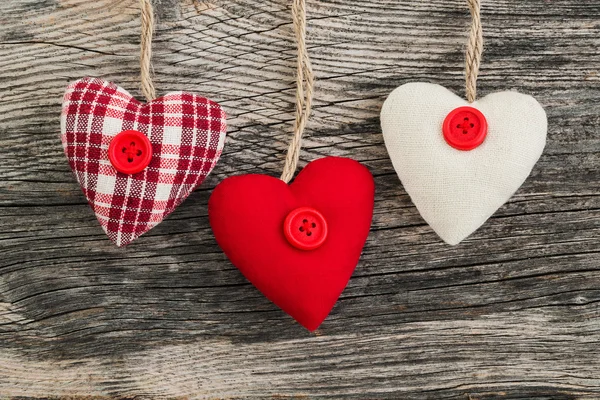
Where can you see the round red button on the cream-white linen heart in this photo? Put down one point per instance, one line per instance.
(465, 128)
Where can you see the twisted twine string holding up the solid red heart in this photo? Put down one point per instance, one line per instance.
(304, 90)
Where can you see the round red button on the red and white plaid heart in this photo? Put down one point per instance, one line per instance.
(130, 152)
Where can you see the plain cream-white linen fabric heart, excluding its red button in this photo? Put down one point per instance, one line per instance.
(456, 191)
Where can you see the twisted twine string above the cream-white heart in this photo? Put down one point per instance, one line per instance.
(474, 50)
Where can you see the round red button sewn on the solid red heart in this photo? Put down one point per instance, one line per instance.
(305, 228)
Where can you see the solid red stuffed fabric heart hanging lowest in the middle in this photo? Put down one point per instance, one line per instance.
(248, 215)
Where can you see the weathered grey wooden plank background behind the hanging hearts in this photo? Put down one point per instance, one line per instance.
(512, 312)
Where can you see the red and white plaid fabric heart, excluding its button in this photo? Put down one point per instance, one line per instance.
(186, 132)
